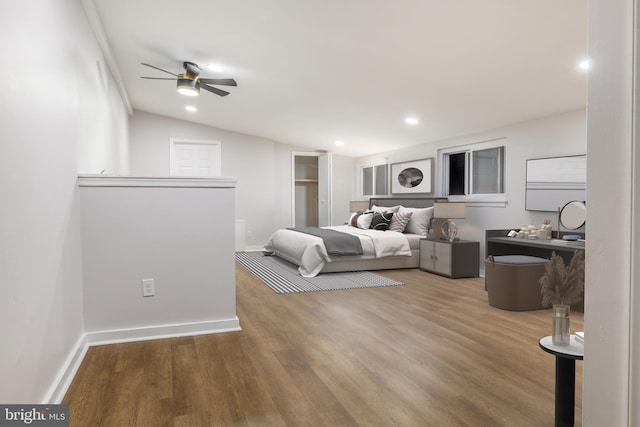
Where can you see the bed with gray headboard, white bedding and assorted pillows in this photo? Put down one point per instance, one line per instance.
(381, 250)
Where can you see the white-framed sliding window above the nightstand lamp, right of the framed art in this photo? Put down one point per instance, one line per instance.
(473, 170)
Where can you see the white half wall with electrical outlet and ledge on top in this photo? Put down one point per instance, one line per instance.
(170, 230)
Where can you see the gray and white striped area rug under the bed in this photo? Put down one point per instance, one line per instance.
(283, 277)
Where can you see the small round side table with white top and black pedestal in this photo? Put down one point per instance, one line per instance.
(566, 357)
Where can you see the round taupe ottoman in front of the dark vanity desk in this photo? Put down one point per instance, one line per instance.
(512, 281)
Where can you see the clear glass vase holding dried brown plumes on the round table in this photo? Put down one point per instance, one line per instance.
(562, 286)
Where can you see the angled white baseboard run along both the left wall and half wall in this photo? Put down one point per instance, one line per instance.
(69, 369)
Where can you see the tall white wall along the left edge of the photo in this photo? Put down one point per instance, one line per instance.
(54, 107)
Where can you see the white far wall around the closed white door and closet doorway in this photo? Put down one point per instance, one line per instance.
(263, 169)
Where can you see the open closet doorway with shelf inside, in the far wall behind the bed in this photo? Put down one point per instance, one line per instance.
(311, 192)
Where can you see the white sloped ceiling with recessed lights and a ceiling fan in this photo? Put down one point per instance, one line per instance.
(311, 72)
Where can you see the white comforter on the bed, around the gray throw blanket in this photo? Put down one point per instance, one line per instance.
(311, 253)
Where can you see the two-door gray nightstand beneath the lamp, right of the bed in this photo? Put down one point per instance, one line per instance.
(460, 258)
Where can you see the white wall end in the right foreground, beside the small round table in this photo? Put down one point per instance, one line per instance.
(611, 386)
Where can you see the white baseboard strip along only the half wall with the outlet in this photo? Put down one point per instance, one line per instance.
(163, 331)
